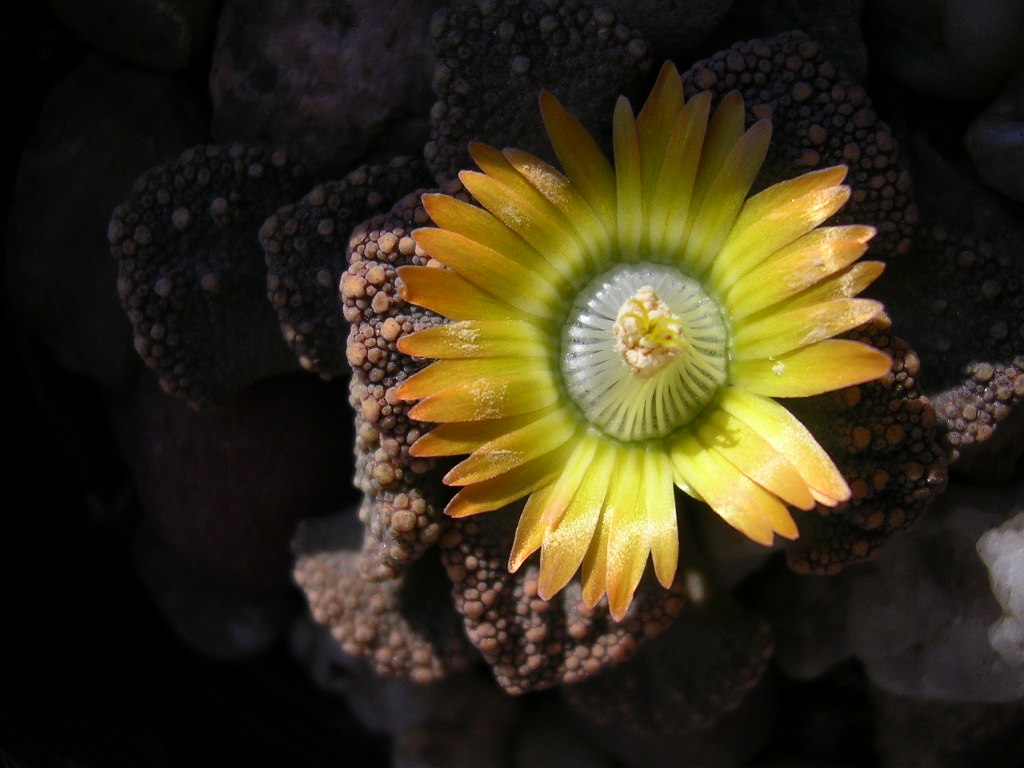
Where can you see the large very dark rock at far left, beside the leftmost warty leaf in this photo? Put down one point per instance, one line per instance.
(101, 126)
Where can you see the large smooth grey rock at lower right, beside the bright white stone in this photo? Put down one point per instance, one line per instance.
(919, 619)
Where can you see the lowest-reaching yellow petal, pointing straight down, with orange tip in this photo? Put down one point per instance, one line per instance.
(629, 533)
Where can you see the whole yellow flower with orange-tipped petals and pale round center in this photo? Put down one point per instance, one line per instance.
(620, 330)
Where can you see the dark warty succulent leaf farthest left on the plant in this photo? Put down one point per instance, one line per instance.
(192, 276)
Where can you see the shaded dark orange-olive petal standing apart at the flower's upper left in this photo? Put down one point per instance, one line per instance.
(580, 156)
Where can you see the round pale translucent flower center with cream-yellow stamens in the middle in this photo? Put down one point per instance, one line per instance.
(645, 350)
